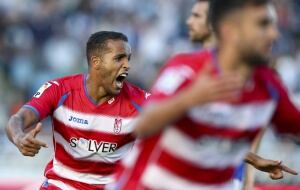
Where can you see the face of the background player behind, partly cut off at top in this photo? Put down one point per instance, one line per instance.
(197, 22)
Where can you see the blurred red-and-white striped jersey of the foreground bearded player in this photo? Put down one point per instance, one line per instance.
(203, 148)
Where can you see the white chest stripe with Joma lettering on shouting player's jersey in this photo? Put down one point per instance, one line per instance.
(92, 122)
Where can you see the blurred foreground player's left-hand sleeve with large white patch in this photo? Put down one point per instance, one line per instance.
(171, 79)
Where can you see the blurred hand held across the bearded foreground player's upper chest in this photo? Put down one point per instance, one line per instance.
(208, 88)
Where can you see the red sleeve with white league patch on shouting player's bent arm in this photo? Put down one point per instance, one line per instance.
(45, 100)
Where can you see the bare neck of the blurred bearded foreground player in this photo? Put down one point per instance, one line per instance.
(230, 62)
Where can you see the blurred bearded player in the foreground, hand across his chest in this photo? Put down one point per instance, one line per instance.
(195, 138)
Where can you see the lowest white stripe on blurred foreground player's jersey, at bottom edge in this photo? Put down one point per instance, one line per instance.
(157, 178)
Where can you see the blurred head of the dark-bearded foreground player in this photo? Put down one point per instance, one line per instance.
(247, 26)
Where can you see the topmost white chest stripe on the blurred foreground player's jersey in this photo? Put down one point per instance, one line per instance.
(224, 115)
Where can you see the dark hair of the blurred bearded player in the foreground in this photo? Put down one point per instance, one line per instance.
(219, 9)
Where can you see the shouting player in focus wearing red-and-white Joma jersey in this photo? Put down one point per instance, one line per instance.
(92, 117)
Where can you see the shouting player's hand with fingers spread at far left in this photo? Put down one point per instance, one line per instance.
(27, 144)
